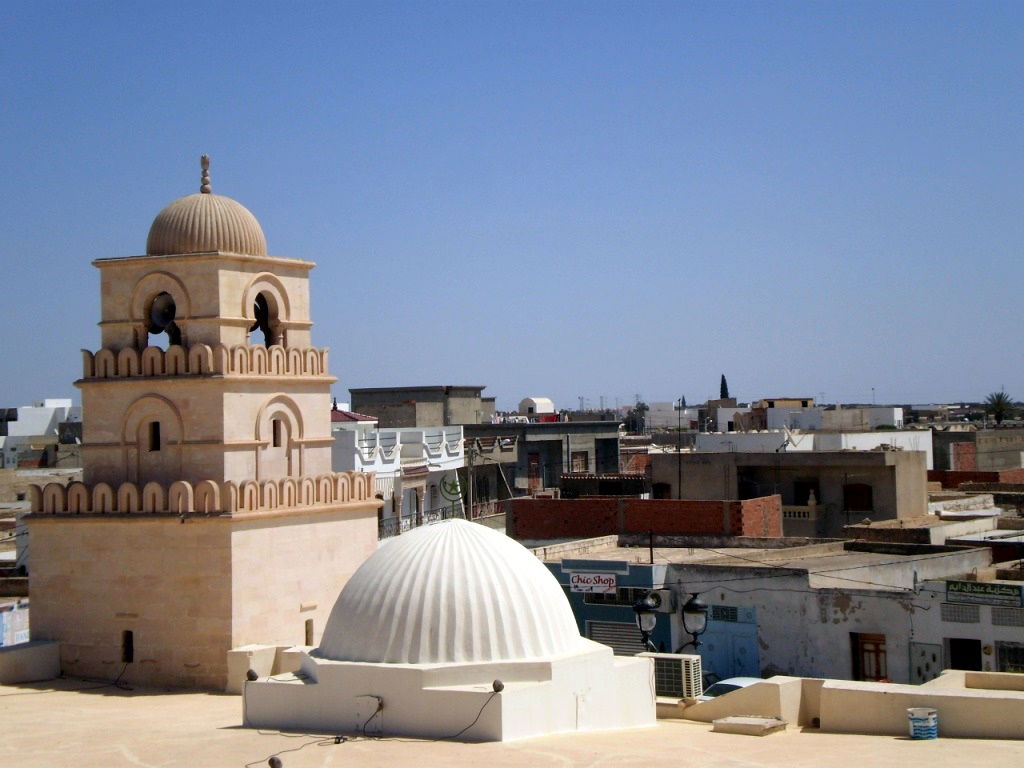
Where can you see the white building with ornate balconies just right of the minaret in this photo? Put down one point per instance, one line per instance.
(416, 468)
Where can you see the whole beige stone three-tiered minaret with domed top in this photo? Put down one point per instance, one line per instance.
(208, 518)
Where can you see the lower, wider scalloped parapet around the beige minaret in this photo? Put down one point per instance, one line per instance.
(205, 498)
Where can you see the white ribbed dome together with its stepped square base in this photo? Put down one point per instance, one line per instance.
(455, 631)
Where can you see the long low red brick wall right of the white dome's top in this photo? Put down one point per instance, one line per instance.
(581, 519)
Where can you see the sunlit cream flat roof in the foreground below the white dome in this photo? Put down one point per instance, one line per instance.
(54, 726)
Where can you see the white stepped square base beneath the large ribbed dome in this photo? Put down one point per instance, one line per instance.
(587, 691)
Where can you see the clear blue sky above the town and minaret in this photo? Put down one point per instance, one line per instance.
(567, 200)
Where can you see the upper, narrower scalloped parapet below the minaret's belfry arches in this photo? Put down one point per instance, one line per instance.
(202, 359)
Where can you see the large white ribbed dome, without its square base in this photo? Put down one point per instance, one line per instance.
(454, 592)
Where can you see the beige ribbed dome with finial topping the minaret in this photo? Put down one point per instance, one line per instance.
(203, 223)
